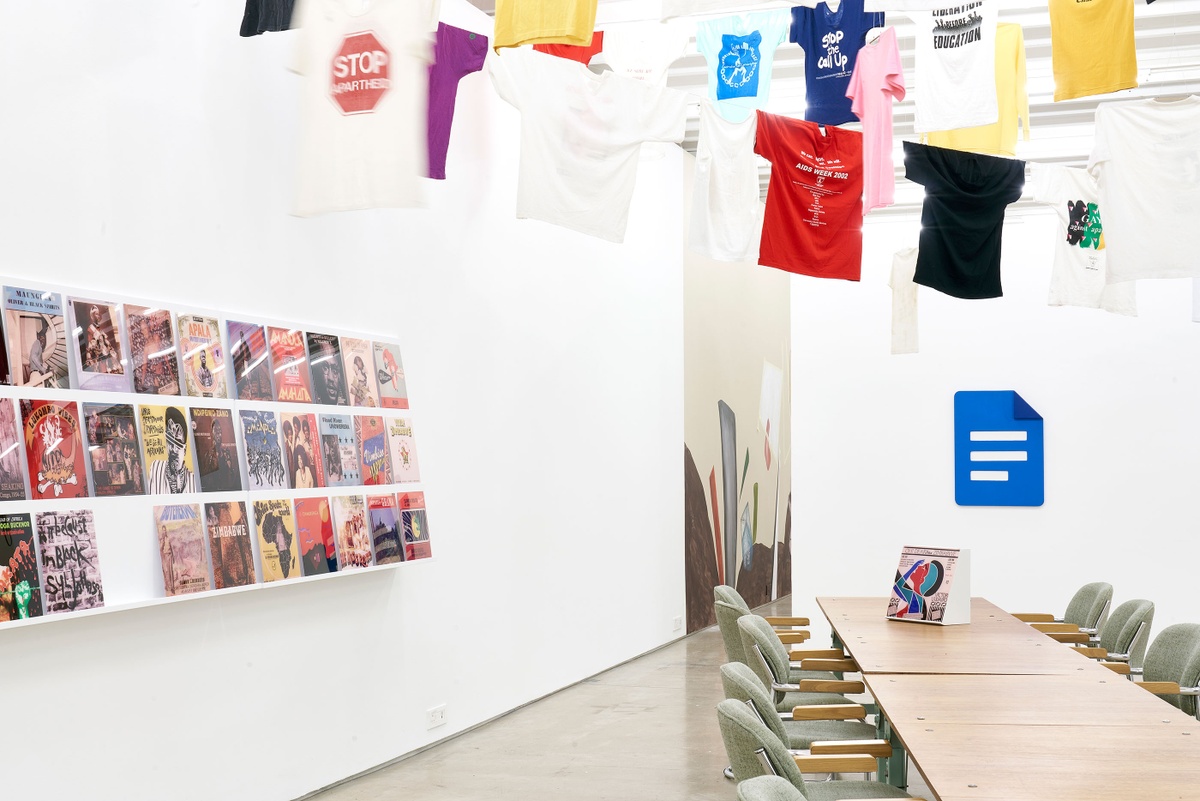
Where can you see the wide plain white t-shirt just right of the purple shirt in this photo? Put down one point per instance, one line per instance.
(580, 138)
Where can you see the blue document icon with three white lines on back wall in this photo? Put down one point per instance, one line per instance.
(999, 450)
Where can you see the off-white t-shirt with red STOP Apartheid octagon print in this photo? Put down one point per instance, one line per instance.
(363, 137)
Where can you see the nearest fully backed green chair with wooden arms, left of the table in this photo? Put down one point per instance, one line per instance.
(754, 751)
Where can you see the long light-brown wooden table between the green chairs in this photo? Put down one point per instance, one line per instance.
(1042, 725)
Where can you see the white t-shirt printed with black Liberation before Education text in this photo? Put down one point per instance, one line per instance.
(956, 67)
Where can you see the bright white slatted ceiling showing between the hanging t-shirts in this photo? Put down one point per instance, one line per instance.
(1168, 39)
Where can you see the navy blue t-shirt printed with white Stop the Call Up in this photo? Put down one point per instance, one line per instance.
(831, 41)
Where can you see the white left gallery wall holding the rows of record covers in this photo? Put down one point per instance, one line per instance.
(148, 152)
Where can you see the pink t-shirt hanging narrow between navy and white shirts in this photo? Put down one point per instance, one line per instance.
(877, 82)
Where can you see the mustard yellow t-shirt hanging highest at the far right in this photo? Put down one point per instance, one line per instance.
(1093, 47)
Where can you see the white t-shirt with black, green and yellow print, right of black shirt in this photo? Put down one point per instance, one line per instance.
(1081, 275)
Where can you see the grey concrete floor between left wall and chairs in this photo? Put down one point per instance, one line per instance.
(646, 730)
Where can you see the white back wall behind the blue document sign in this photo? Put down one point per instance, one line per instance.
(873, 444)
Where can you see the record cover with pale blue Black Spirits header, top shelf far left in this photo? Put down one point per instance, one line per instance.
(38, 341)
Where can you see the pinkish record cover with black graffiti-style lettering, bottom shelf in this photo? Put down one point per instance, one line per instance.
(67, 543)
